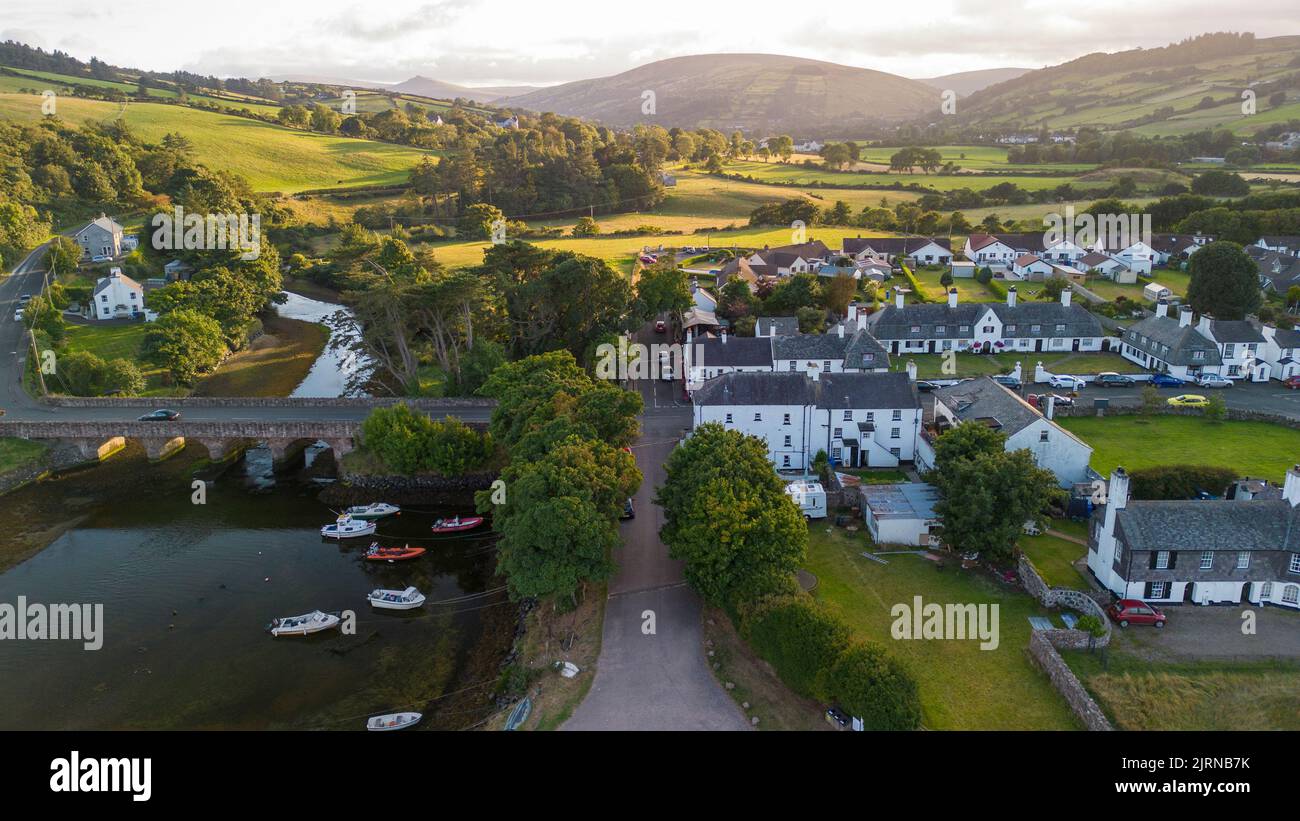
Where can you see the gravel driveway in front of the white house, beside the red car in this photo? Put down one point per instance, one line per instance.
(1198, 633)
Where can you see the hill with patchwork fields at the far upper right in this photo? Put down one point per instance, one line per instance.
(1182, 88)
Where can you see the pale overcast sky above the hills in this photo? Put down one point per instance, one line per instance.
(518, 42)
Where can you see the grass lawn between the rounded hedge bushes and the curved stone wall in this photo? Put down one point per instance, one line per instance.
(963, 688)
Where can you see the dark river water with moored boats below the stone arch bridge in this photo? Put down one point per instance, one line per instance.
(188, 592)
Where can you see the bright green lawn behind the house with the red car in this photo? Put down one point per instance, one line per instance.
(1251, 449)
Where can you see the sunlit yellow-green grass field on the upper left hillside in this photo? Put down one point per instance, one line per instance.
(271, 158)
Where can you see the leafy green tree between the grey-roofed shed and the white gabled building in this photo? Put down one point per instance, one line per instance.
(986, 493)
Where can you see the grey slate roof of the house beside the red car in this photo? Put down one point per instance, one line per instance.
(1216, 524)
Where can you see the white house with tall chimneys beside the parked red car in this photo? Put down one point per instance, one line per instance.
(1230, 551)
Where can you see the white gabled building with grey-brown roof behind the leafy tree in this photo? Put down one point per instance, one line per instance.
(986, 402)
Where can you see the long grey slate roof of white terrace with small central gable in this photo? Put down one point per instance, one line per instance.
(894, 324)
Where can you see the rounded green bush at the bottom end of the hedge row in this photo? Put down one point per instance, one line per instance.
(873, 687)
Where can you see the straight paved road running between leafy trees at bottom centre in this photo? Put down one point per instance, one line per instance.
(661, 681)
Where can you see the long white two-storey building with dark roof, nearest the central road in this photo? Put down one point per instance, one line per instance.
(859, 419)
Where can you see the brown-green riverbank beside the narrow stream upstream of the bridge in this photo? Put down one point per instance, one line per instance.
(272, 366)
